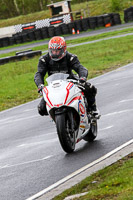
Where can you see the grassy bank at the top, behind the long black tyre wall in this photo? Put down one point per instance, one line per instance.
(95, 8)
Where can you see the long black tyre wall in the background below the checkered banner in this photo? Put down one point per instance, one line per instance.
(64, 29)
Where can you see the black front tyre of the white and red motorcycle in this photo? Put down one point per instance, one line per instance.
(65, 134)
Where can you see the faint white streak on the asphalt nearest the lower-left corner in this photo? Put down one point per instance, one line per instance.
(24, 163)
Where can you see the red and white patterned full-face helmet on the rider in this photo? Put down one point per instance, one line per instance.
(57, 48)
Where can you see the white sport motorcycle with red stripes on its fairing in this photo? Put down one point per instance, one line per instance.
(66, 105)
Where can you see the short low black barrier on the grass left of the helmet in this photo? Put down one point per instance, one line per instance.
(20, 56)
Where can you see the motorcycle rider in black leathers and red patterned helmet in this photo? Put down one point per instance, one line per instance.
(59, 60)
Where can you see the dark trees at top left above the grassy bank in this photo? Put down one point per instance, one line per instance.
(13, 8)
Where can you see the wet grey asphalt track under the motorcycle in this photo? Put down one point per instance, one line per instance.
(31, 158)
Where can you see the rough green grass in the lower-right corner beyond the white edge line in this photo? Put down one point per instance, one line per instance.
(112, 183)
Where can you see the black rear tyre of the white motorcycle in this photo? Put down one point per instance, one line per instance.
(92, 133)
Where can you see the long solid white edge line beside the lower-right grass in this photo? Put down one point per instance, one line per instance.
(79, 171)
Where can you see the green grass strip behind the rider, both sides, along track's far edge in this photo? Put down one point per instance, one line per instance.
(17, 78)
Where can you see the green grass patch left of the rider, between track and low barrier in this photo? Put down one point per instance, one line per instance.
(17, 83)
